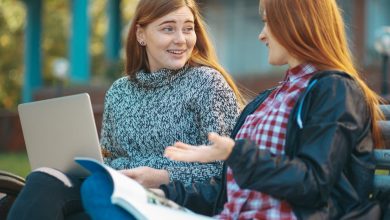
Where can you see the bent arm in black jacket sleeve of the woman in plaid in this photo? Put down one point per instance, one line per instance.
(332, 125)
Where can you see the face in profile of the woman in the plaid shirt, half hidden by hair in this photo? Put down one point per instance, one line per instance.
(277, 55)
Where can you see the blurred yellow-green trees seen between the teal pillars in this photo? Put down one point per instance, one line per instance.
(55, 36)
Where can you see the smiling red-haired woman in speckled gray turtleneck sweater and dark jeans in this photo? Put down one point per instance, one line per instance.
(174, 90)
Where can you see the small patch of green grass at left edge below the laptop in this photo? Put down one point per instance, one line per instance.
(16, 163)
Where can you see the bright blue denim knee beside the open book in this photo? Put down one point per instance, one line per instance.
(96, 193)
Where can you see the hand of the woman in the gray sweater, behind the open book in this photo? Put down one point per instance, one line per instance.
(148, 177)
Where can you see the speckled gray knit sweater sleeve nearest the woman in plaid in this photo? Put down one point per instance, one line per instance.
(217, 109)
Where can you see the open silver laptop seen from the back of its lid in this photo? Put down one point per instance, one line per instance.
(59, 129)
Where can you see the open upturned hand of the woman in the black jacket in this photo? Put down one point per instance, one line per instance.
(219, 150)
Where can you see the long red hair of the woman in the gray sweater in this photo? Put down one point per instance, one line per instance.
(203, 54)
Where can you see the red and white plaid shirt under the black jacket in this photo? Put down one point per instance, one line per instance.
(267, 126)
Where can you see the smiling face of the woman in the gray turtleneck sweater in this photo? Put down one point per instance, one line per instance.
(169, 40)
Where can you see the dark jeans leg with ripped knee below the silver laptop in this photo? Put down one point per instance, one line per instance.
(46, 197)
